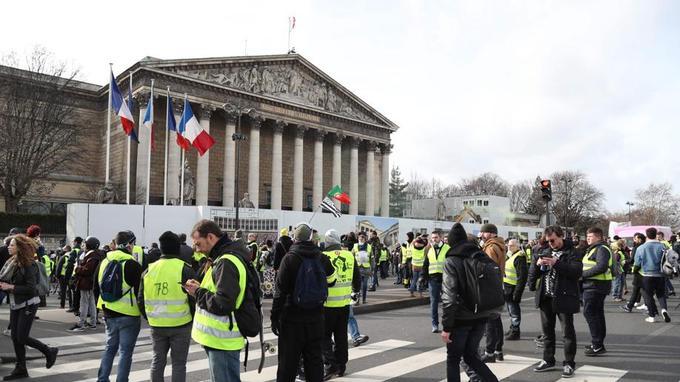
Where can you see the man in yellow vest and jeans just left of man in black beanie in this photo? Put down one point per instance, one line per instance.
(434, 263)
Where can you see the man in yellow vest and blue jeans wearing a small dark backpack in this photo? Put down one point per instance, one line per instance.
(121, 312)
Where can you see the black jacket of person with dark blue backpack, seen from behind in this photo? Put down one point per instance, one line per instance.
(282, 307)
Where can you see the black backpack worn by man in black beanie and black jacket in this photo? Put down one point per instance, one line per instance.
(483, 279)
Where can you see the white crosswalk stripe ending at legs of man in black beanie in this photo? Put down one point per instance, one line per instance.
(398, 367)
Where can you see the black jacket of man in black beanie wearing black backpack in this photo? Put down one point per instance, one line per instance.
(454, 312)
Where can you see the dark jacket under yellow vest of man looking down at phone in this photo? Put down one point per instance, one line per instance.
(226, 278)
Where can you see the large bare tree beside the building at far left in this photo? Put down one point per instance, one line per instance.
(37, 131)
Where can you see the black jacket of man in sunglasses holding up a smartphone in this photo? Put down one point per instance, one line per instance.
(569, 269)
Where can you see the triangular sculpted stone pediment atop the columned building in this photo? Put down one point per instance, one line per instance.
(289, 78)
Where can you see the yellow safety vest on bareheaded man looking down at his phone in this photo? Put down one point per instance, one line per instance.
(214, 331)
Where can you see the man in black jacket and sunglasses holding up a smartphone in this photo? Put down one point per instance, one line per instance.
(558, 268)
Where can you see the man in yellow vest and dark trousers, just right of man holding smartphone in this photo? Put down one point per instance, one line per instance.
(597, 282)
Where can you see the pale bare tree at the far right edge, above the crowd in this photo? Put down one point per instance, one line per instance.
(656, 205)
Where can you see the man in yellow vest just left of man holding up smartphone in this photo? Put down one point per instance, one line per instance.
(514, 281)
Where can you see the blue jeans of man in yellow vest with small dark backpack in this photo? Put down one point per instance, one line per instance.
(121, 334)
